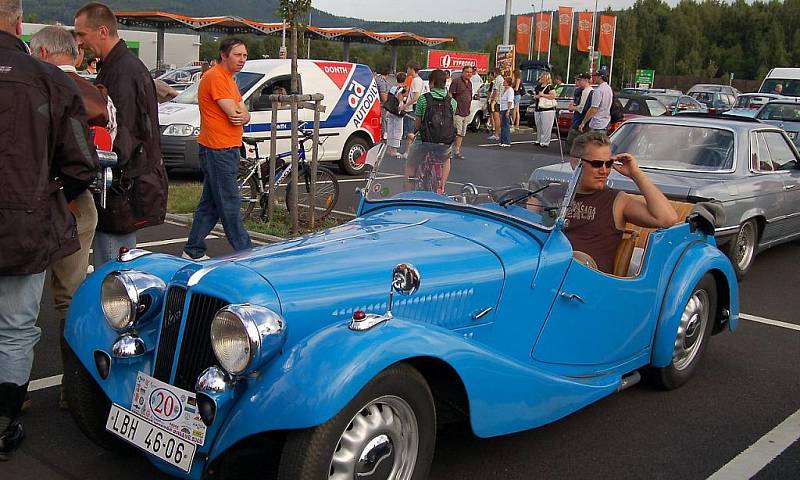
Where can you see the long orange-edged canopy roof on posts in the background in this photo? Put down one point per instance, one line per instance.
(161, 21)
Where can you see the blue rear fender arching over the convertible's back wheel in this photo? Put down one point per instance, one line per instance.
(698, 259)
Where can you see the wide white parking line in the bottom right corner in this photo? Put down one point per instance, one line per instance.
(758, 455)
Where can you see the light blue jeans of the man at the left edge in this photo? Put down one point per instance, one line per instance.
(20, 297)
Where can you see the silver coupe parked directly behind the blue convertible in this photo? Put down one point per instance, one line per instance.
(751, 168)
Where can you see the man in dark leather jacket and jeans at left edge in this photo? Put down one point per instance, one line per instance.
(46, 160)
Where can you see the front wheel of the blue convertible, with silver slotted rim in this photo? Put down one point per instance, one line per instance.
(388, 431)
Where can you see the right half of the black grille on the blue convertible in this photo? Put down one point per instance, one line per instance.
(195, 351)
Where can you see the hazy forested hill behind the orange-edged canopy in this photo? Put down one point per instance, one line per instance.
(471, 35)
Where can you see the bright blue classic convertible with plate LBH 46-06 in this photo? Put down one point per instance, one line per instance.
(339, 353)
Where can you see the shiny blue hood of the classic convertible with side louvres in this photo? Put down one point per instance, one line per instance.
(324, 277)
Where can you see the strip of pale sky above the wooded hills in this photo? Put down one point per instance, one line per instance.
(449, 10)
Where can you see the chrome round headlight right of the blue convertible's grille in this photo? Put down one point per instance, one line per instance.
(244, 337)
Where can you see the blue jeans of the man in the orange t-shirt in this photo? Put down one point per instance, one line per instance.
(220, 201)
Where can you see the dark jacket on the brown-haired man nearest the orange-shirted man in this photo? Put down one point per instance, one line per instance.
(138, 197)
